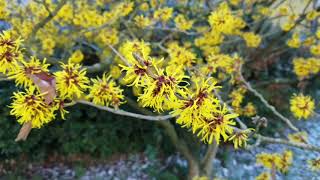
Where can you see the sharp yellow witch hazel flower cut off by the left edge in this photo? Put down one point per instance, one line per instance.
(10, 53)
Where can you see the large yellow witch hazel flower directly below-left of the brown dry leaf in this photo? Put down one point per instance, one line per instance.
(30, 106)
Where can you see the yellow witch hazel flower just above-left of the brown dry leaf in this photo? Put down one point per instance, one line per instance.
(23, 74)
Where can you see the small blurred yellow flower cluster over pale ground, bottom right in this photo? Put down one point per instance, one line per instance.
(280, 162)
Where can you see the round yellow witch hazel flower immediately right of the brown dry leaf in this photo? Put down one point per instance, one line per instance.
(71, 81)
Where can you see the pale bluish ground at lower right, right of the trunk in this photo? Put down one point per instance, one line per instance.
(241, 164)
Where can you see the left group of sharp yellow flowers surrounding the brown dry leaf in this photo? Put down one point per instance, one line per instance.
(46, 93)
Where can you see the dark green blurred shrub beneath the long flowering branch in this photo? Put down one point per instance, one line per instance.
(87, 131)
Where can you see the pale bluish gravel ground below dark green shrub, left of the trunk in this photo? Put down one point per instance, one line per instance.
(132, 169)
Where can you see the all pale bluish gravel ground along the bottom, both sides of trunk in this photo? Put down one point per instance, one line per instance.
(240, 165)
